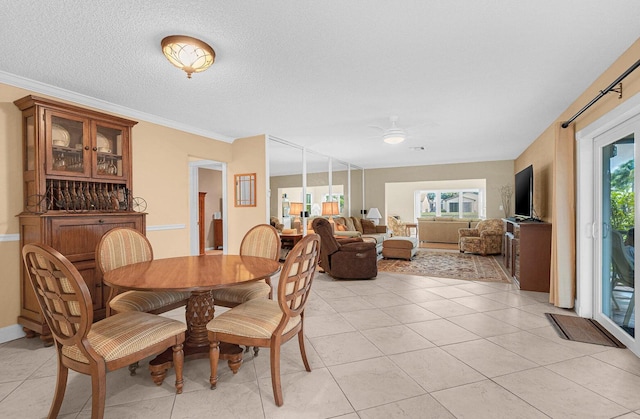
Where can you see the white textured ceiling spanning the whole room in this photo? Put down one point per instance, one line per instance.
(470, 80)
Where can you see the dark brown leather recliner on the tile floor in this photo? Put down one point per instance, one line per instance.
(349, 258)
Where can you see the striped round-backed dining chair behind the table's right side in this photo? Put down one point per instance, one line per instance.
(262, 241)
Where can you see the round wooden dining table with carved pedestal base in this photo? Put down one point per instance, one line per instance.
(199, 275)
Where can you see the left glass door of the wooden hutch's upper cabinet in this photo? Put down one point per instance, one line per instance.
(67, 144)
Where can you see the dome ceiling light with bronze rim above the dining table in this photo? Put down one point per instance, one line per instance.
(189, 54)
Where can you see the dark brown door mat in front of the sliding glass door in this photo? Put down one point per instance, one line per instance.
(584, 330)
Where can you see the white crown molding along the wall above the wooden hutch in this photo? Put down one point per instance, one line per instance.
(57, 92)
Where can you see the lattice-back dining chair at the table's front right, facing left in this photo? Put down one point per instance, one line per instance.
(270, 323)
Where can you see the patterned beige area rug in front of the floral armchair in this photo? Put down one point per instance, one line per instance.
(447, 265)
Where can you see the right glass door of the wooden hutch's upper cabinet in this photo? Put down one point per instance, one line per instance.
(110, 145)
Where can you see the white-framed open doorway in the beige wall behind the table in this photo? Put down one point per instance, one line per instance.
(207, 177)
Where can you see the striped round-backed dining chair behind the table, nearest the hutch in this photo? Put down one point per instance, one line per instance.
(124, 246)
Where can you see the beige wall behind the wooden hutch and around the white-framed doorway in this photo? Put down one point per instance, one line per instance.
(161, 173)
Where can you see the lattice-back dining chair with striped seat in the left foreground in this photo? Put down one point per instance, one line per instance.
(93, 348)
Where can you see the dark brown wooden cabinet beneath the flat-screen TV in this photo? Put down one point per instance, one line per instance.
(527, 253)
